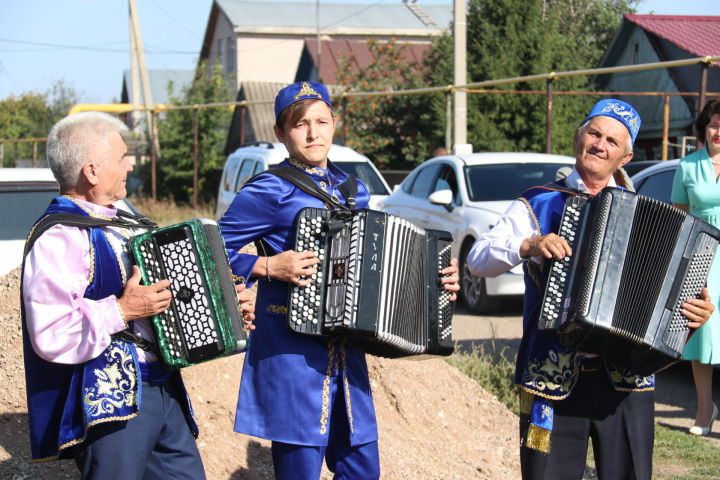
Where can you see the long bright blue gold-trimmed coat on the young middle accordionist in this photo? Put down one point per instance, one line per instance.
(290, 381)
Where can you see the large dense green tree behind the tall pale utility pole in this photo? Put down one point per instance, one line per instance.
(508, 39)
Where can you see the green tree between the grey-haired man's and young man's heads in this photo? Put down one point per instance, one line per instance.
(175, 131)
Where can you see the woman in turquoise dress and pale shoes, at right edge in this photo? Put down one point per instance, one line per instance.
(696, 190)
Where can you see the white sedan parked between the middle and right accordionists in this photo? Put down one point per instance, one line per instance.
(466, 195)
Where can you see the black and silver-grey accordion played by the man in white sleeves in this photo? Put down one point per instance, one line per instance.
(635, 261)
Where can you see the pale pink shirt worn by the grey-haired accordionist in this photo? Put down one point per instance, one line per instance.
(64, 326)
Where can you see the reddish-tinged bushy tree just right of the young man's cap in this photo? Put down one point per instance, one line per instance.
(394, 131)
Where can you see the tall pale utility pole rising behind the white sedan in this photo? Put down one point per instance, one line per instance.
(460, 145)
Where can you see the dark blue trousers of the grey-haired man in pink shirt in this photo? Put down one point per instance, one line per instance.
(156, 444)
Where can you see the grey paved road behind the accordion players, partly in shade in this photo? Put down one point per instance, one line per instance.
(675, 401)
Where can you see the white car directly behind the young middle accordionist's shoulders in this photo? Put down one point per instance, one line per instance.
(245, 162)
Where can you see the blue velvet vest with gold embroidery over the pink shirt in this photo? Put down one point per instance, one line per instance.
(65, 400)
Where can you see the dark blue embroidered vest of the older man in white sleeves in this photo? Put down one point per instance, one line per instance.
(544, 367)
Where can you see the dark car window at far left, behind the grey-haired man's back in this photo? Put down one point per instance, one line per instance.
(19, 209)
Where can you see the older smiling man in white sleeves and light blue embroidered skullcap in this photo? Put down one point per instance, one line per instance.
(568, 396)
